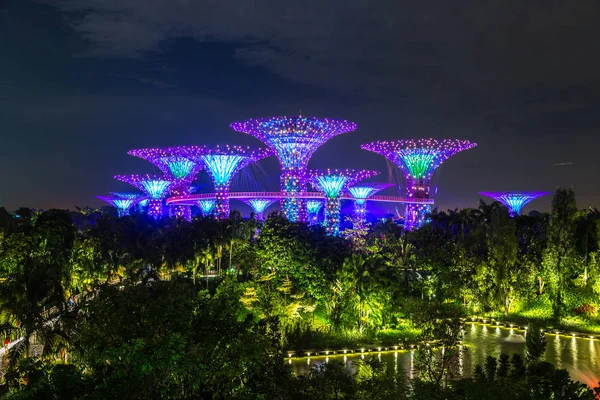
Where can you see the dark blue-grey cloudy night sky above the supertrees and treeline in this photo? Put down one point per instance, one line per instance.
(83, 81)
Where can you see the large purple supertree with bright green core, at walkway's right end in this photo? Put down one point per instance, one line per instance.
(418, 159)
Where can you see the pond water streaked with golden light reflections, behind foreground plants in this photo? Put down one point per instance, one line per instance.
(577, 355)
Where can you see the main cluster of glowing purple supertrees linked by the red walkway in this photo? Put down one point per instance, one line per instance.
(293, 140)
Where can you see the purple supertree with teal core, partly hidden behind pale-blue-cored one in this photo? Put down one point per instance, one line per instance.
(177, 165)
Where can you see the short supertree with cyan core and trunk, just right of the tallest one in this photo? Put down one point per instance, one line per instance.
(332, 182)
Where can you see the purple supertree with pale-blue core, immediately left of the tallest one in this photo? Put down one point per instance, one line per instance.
(222, 163)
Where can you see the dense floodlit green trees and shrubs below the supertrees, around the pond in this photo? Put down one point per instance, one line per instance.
(99, 307)
